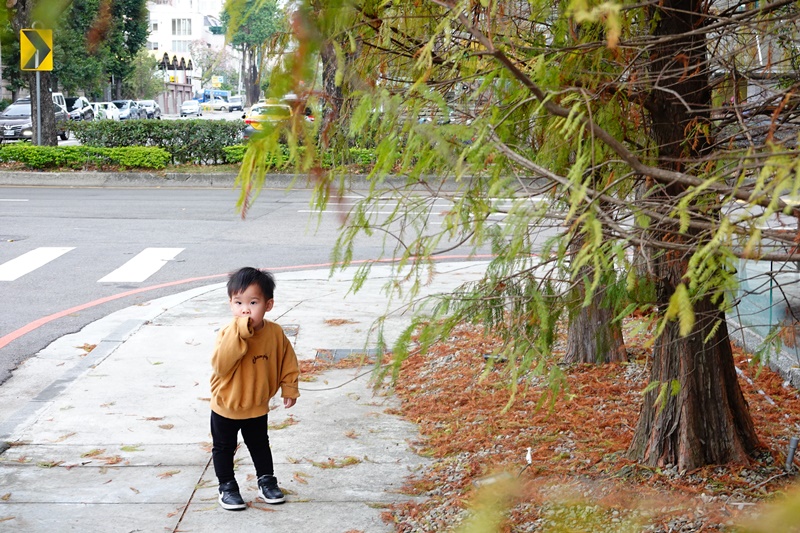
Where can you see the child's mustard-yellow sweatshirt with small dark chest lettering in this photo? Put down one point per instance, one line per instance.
(248, 367)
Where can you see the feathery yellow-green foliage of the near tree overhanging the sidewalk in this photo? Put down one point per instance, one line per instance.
(547, 141)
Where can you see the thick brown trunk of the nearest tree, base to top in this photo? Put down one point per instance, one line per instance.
(707, 421)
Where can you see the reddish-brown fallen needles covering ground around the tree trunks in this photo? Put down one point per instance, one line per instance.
(579, 476)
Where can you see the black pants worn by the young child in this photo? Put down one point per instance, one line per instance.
(224, 433)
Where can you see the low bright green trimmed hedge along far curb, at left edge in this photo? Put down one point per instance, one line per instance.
(82, 157)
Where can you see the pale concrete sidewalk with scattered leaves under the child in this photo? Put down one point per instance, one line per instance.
(117, 439)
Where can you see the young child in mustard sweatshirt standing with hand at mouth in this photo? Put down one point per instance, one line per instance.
(252, 358)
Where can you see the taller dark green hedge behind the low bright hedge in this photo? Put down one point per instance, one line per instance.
(188, 141)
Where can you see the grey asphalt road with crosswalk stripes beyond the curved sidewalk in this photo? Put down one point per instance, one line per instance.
(98, 231)
